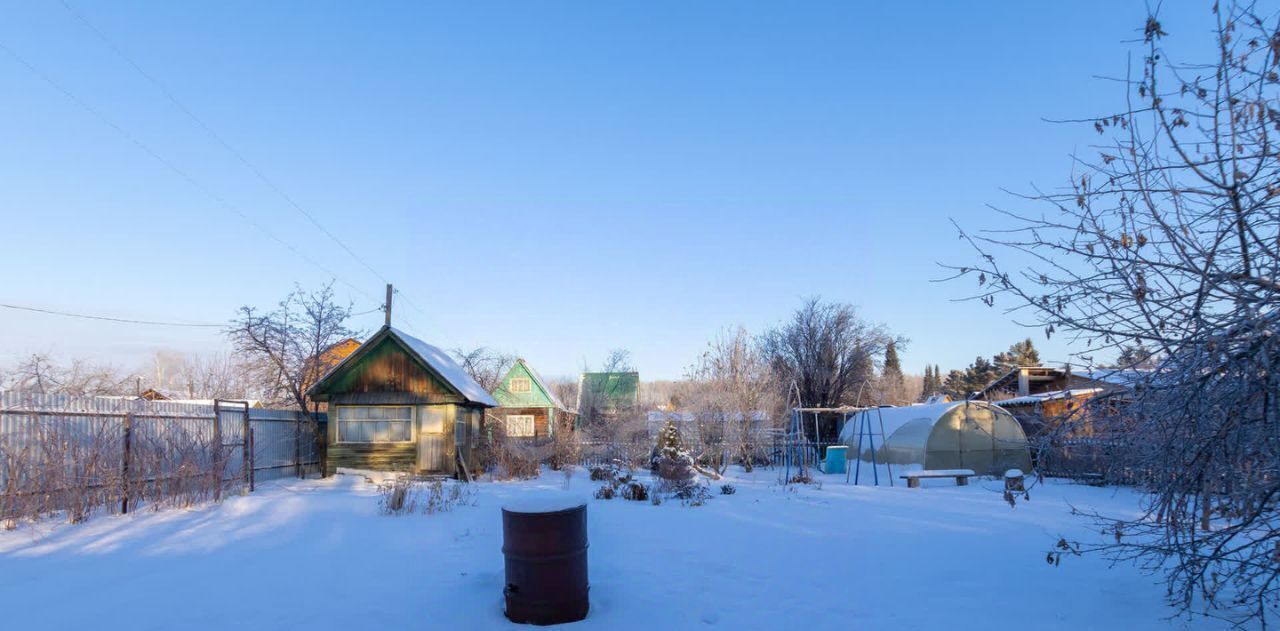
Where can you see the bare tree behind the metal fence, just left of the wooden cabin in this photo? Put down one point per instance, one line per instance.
(285, 347)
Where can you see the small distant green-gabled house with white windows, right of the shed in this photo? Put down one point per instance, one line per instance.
(527, 406)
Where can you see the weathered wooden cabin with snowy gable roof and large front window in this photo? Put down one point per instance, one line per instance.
(399, 404)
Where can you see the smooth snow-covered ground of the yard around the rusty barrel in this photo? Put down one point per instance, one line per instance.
(317, 555)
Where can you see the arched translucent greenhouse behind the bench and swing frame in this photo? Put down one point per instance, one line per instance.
(966, 435)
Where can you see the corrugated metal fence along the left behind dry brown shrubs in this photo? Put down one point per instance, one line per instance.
(83, 455)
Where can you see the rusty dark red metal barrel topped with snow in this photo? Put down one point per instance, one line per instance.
(546, 552)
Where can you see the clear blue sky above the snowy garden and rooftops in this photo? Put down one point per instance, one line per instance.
(555, 180)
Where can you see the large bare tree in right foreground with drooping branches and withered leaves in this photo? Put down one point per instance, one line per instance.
(1168, 237)
